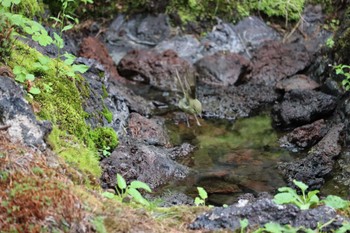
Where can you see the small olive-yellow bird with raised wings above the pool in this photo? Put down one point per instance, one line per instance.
(187, 103)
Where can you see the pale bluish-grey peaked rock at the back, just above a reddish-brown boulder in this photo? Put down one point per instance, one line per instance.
(222, 38)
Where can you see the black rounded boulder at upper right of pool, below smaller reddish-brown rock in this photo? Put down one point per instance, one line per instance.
(302, 107)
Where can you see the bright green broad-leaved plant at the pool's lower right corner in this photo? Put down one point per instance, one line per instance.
(289, 195)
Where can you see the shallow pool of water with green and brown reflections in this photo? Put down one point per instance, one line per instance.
(231, 158)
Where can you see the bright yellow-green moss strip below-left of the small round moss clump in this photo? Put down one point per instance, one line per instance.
(74, 152)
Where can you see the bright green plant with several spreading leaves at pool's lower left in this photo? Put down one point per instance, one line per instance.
(131, 190)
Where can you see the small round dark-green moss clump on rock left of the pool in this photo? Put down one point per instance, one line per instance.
(104, 137)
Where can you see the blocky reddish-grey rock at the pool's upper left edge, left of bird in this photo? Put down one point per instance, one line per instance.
(151, 131)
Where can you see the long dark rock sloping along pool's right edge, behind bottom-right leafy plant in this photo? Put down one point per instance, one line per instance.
(312, 169)
